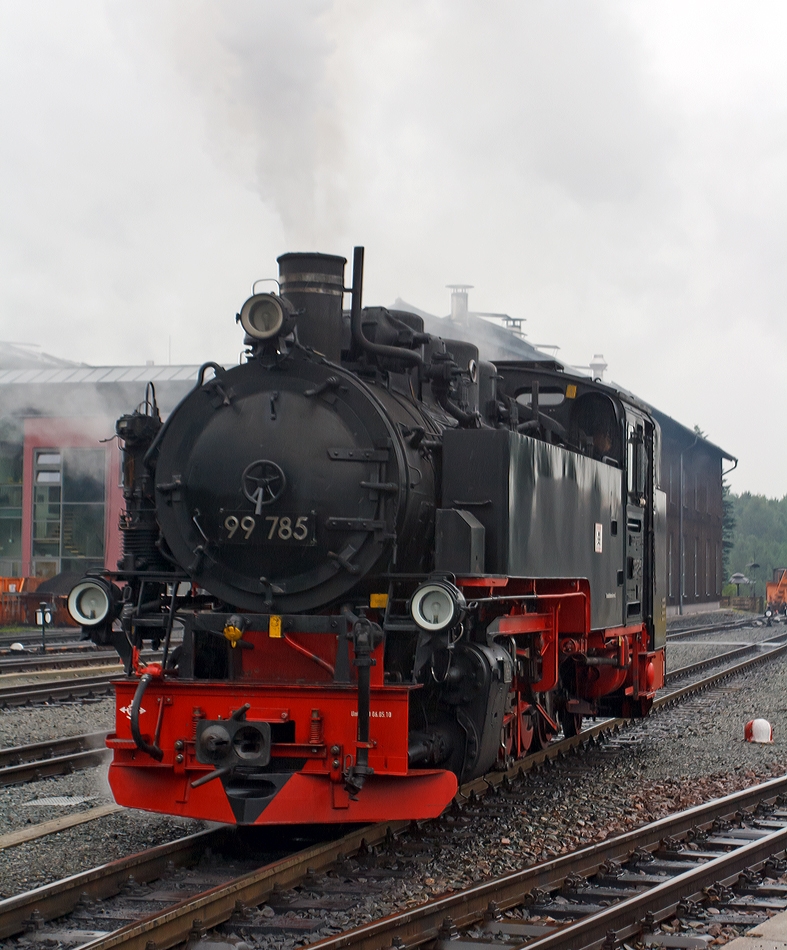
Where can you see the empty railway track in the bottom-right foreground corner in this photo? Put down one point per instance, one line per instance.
(720, 854)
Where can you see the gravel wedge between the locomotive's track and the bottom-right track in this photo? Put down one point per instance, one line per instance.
(679, 757)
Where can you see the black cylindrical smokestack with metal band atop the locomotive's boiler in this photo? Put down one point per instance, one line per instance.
(314, 283)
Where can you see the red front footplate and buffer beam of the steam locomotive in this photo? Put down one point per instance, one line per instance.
(314, 731)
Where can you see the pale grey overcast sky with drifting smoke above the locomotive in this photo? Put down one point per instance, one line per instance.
(613, 172)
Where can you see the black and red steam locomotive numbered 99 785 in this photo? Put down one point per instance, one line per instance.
(390, 567)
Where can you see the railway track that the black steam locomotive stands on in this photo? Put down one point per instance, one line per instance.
(217, 903)
